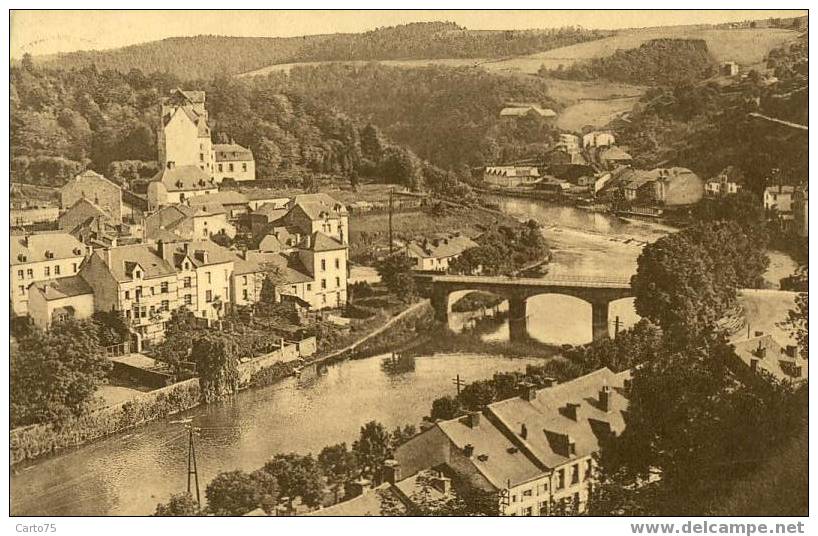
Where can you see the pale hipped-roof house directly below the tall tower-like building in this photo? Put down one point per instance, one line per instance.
(174, 184)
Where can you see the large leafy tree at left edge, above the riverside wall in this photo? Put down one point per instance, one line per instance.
(56, 373)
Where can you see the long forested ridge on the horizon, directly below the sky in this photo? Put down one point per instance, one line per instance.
(206, 56)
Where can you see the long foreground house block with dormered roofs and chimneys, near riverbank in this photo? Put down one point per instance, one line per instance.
(535, 450)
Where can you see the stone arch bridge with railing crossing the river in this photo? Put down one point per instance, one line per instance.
(598, 291)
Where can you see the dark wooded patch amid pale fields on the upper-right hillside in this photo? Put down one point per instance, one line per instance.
(658, 62)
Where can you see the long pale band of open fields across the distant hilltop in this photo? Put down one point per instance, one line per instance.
(747, 46)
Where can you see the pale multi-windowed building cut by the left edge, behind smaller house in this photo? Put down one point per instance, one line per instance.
(41, 257)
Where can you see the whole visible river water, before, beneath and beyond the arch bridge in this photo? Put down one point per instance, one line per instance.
(129, 473)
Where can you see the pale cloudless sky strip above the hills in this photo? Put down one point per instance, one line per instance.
(49, 32)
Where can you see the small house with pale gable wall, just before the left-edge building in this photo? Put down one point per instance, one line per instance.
(57, 300)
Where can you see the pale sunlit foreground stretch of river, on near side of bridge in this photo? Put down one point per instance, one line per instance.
(129, 473)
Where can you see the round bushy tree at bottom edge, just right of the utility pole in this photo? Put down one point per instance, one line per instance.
(234, 493)
